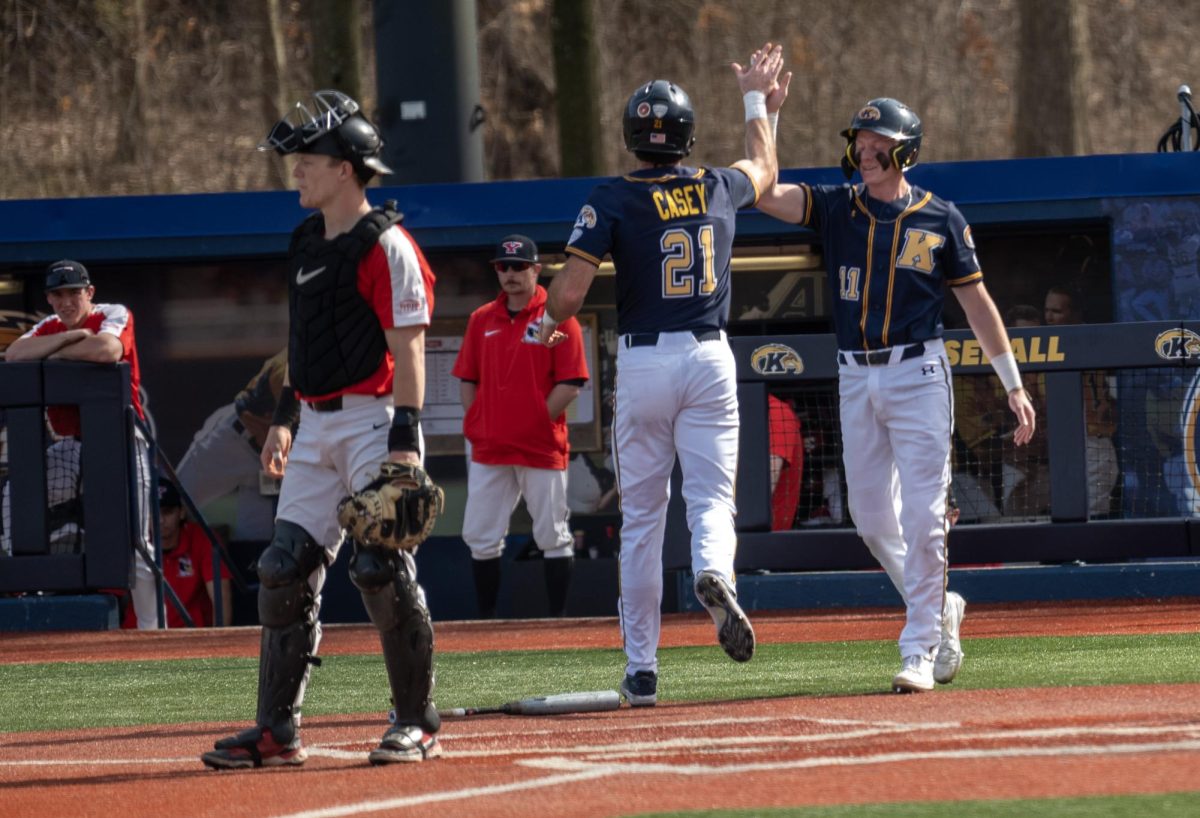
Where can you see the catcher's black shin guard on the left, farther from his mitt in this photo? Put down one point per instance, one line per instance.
(287, 610)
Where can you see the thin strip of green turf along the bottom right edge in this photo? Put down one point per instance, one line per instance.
(1173, 805)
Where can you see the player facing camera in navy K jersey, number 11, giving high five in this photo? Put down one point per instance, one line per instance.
(891, 251)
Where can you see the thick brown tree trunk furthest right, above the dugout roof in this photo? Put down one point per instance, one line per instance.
(1053, 79)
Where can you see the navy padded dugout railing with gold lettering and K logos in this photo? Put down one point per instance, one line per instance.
(1160, 352)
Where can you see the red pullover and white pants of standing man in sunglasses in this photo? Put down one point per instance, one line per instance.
(517, 449)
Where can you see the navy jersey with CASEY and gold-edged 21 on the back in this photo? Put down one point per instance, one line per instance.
(670, 232)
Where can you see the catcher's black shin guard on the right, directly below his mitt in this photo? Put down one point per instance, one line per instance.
(397, 606)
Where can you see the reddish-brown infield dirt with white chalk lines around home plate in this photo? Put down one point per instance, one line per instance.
(949, 745)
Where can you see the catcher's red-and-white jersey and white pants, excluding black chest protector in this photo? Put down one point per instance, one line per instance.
(337, 454)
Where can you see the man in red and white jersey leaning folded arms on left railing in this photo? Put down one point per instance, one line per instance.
(81, 330)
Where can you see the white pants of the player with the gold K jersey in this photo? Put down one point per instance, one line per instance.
(897, 425)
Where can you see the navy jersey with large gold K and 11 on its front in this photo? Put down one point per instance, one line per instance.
(890, 263)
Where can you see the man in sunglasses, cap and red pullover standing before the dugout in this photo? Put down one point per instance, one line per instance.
(517, 393)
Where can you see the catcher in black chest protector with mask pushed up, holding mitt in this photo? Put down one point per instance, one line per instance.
(361, 296)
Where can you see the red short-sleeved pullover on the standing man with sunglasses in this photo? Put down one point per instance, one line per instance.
(508, 424)
